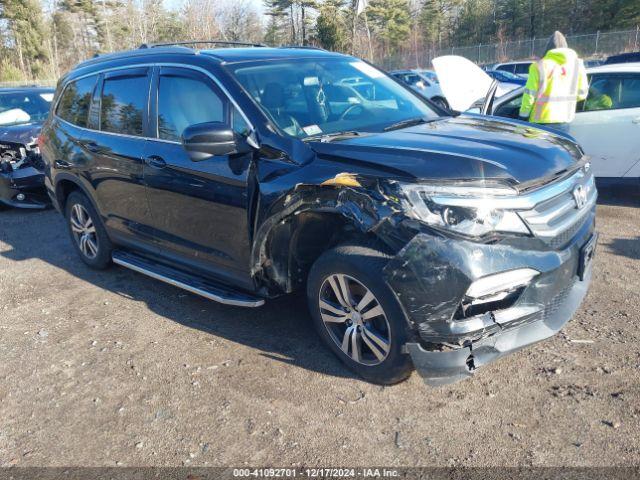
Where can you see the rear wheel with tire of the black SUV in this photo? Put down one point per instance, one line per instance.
(97, 254)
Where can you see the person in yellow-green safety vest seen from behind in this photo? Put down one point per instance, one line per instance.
(556, 83)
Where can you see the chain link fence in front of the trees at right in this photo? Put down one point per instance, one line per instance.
(592, 46)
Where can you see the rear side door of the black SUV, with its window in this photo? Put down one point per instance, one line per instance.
(117, 148)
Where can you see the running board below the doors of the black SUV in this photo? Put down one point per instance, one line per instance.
(191, 283)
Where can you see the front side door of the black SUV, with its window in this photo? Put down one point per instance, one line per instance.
(199, 208)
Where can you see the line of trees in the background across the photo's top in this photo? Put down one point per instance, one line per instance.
(391, 32)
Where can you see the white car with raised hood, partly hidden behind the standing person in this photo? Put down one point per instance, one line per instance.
(607, 124)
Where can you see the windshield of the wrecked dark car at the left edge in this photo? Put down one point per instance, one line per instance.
(17, 108)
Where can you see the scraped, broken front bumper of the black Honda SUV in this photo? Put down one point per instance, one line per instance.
(432, 277)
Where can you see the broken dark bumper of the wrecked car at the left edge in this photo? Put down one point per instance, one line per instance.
(23, 188)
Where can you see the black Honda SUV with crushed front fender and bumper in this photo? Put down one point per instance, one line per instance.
(423, 239)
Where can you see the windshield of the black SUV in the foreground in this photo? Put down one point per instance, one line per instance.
(312, 97)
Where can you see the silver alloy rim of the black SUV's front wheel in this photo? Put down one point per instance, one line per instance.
(354, 319)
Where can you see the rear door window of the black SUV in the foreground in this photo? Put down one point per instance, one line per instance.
(122, 104)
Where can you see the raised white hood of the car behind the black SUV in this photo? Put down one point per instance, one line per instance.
(463, 83)
